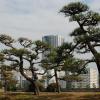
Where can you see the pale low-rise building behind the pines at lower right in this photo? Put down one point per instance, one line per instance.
(89, 80)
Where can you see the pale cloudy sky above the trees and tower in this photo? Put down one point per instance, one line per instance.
(35, 18)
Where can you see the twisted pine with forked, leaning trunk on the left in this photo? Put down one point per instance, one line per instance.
(23, 55)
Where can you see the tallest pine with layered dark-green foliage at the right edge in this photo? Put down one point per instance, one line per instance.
(87, 35)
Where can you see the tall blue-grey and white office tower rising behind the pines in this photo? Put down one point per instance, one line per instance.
(53, 41)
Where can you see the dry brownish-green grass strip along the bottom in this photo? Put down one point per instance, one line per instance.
(52, 96)
